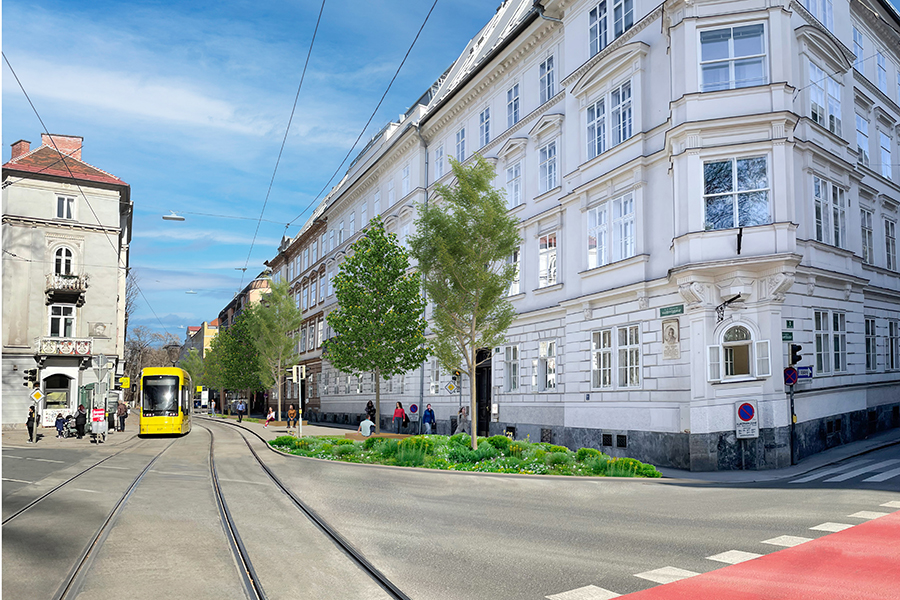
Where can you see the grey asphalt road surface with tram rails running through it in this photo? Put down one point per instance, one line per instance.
(434, 534)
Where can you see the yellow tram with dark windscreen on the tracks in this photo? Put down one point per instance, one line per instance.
(165, 401)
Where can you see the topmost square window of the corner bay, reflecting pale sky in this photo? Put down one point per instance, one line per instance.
(733, 57)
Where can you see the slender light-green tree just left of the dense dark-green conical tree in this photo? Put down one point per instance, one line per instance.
(276, 318)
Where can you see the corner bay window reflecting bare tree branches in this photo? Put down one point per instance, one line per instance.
(736, 193)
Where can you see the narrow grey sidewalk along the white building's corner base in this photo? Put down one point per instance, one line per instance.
(811, 463)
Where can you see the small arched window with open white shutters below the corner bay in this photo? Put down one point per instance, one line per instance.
(740, 355)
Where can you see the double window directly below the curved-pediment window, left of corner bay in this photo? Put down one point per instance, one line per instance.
(619, 226)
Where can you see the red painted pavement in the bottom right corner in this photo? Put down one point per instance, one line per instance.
(859, 563)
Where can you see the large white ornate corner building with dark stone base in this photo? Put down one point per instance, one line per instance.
(699, 184)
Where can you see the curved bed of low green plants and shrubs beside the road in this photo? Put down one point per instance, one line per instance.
(497, 454)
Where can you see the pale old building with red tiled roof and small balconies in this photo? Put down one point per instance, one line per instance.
(66, 230)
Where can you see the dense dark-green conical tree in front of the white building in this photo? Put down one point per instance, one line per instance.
(379, 324)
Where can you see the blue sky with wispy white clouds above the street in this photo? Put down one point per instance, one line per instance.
(189, 102)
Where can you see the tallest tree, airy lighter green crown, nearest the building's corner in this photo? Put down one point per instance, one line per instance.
(463, 244)
